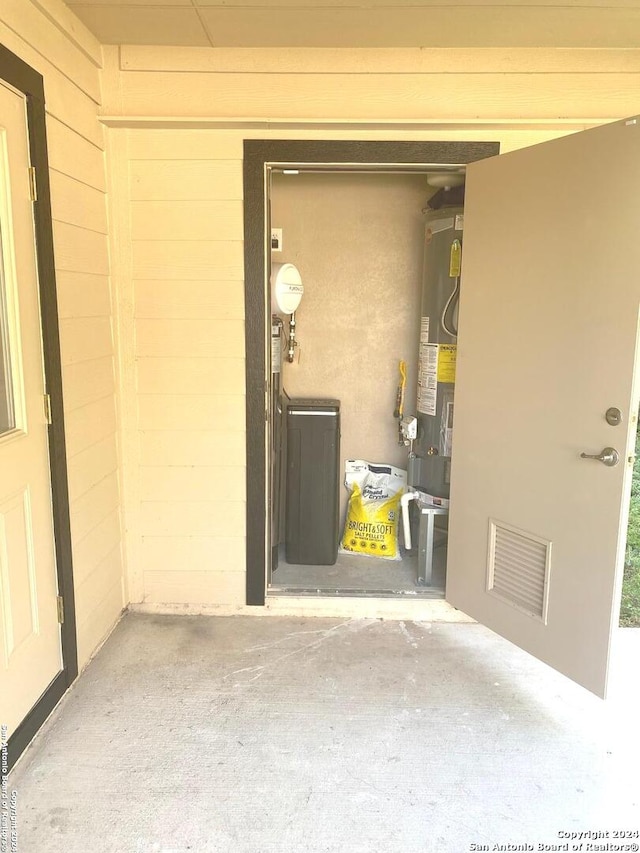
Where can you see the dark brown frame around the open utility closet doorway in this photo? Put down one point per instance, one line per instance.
(259, 154)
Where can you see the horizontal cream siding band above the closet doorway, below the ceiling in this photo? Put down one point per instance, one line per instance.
(379, 84)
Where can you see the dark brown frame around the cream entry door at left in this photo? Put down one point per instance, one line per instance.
(25, 79)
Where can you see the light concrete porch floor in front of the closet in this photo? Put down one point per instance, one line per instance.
(251, 734)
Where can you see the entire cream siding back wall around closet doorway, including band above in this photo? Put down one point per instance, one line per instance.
(177, 119)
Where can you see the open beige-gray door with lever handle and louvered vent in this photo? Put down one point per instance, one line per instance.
(547, 344)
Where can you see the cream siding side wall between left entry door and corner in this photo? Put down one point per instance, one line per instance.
(69, 59)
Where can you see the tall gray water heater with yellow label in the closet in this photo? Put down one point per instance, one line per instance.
(430, 462)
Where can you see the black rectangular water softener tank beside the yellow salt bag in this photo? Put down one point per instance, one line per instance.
(313, 479)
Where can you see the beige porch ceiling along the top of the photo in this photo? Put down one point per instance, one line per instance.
(368, 23)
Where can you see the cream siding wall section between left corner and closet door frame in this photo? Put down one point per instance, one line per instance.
(179, 221)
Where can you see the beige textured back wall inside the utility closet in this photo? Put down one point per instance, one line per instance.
(357, 241)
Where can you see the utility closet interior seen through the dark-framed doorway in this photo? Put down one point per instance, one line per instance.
(355, 240)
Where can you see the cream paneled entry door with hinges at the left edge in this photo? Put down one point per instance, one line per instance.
(30, 648)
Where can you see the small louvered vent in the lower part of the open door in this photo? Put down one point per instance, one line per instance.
(518, 569)
